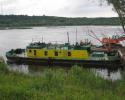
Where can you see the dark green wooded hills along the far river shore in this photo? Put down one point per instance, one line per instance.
(26, 22)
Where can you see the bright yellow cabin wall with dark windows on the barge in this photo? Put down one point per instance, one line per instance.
(57, 53)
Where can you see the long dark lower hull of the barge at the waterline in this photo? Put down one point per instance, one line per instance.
(65, 62)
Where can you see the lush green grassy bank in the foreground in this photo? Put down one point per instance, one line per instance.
(76, 84)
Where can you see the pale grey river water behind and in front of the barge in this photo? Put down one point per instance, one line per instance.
(20, 38)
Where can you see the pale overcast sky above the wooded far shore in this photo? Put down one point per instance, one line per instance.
(65, 8)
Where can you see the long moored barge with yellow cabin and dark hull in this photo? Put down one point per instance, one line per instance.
(49, 54)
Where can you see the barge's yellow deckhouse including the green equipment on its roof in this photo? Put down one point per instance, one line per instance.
(57, 51)
